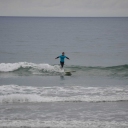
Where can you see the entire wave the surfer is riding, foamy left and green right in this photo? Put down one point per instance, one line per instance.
(25, 68)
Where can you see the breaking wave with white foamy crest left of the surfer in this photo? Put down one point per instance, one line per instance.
(25, 68)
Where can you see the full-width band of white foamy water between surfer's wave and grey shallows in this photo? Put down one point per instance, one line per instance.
(22, 94)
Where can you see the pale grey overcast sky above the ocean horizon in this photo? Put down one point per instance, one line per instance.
(73, 8)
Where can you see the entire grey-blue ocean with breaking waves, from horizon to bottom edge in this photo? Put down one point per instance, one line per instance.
(36, 93)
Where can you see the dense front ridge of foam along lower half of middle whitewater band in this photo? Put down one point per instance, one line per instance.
(28, 98)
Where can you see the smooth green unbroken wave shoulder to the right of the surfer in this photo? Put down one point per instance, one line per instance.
(112, 71)
